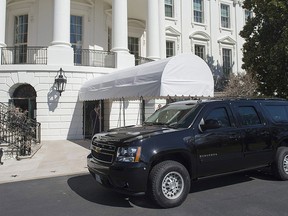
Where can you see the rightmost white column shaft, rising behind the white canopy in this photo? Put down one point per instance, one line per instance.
(153, 35)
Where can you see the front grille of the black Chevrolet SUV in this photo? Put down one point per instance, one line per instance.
(103, 152)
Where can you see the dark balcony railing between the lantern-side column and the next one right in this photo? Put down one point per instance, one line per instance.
(94, 58)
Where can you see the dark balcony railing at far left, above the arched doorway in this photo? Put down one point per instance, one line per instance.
(23, 55)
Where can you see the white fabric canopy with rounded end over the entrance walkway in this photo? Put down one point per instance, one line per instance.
(181, 75)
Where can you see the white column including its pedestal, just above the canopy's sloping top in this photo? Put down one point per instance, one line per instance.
(120, 34)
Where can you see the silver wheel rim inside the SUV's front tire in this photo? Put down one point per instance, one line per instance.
(172, 185)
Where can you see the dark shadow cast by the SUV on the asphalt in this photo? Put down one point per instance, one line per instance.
(86, 187)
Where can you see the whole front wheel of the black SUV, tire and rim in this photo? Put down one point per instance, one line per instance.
(169, 184)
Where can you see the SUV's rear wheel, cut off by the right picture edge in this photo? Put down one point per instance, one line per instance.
(280, 165)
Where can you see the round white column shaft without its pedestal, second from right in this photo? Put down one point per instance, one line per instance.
(119, 26)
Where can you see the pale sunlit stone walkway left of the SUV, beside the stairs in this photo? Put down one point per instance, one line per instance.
(54, 158)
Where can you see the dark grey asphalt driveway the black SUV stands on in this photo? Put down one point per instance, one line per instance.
(251, 193)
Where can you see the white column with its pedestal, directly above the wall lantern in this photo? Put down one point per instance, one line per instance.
(60, 52)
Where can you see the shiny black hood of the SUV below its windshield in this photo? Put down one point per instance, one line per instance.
(130, 133)
